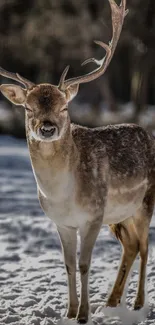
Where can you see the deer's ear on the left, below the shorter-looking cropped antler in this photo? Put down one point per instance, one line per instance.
(16, 94)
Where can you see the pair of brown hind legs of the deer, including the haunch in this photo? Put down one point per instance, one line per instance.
(133, 235)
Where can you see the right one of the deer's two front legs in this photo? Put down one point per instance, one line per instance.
(88, 235)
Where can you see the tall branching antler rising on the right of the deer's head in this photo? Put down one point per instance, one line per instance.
(118, 14)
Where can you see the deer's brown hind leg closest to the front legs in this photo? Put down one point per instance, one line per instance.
(130, 244)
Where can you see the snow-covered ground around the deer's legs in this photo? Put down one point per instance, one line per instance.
(33, 287)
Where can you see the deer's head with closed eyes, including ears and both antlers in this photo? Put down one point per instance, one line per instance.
(46, 104)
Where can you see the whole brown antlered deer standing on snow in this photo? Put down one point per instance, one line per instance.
(89, 177)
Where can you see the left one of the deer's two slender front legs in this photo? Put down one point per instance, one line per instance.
(68, 239)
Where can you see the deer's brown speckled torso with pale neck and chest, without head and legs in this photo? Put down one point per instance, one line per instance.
(88, 174)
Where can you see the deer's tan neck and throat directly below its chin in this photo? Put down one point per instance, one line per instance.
(53, 162)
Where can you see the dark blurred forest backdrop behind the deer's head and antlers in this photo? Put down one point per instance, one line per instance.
(39, 38)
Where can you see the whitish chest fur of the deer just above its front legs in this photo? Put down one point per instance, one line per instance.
(58, 201)
